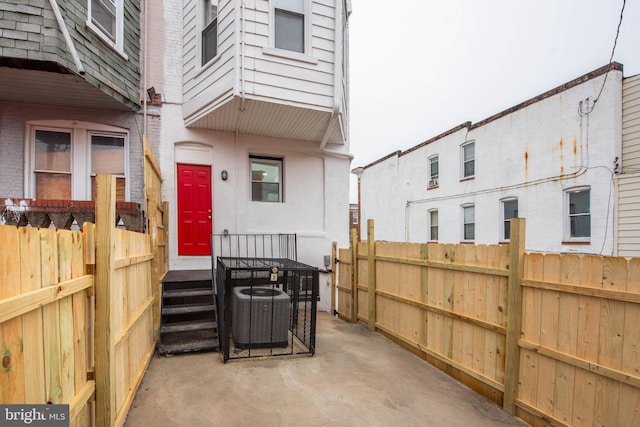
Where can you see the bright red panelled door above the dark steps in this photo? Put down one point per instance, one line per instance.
(194, 210)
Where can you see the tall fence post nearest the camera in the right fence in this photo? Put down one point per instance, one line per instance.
(514, 313)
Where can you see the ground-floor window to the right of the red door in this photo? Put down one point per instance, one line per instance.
(266, 179)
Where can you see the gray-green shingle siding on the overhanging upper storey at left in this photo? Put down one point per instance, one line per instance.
(28, 30)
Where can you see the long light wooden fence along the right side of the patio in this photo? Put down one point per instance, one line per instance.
(553, 338)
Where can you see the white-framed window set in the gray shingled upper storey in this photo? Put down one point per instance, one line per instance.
(106, 20)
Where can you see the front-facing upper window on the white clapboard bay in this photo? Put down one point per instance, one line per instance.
(289, 24)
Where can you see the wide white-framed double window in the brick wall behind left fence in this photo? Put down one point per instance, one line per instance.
(63, 161)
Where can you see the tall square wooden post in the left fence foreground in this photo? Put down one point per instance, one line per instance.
(104, 271)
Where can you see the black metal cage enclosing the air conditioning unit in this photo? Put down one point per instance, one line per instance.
(267, 307)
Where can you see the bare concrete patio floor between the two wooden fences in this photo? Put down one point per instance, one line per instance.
(356, 378)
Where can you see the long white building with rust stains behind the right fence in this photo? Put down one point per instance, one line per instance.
(552, 160)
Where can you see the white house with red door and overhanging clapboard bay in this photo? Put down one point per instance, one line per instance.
(254, 123)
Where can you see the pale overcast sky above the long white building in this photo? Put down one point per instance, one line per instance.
(421, 67)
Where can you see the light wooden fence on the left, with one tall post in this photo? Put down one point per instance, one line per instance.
(77, 324)
